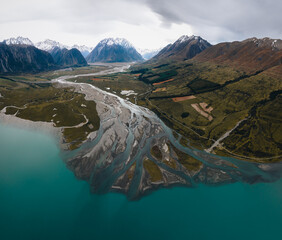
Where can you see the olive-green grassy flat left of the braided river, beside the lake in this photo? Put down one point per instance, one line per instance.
(62, 107)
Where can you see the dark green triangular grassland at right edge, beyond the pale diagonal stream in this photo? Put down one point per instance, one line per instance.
(261, 133)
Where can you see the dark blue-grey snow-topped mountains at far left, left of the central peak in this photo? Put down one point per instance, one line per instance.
(20, 56)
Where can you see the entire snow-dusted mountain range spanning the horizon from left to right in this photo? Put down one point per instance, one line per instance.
(250, 55)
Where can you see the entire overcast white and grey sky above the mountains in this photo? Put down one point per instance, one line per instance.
(145, 23)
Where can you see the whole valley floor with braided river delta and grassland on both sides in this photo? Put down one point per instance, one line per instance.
(127, 147)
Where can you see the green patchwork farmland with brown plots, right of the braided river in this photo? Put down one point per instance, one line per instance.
(204, 101)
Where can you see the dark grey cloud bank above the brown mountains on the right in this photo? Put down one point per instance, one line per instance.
(230, 18)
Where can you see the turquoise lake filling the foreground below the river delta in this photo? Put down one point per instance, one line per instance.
(41, 199)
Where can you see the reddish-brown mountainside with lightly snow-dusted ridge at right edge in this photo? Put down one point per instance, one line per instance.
(251, 55)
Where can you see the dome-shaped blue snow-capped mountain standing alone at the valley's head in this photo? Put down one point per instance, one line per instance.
(114, 50)
